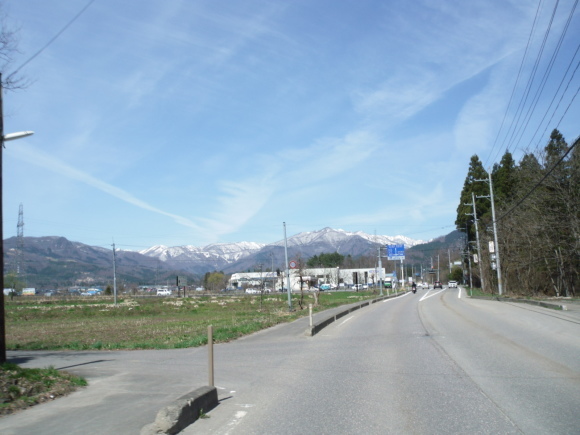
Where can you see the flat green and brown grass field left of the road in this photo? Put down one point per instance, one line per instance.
(151, 322)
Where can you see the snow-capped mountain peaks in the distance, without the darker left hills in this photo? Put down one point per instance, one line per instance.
(239, 256)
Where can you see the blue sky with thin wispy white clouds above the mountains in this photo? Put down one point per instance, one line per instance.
(194, 122)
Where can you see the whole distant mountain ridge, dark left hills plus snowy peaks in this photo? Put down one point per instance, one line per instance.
(54, 261)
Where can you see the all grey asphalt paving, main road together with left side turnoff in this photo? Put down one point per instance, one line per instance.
(431, 362)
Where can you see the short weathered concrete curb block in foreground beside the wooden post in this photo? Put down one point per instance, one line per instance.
(182, 412)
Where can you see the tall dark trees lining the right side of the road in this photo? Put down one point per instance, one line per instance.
(537, 211)
